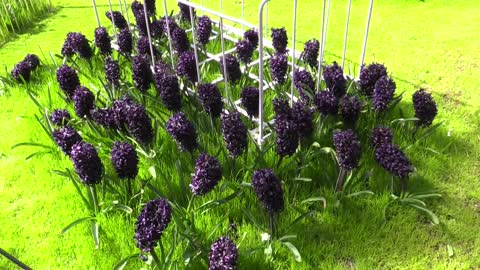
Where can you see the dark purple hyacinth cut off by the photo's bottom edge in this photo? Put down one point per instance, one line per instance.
(223, 255)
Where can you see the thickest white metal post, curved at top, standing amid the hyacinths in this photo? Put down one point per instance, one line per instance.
(260, 74)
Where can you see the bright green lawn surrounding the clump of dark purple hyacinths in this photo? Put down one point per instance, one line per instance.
(425, 44)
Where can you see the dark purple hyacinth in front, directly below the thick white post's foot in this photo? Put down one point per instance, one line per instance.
(268, 189)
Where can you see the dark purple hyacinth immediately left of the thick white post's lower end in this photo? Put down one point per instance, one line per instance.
(234, 133)
